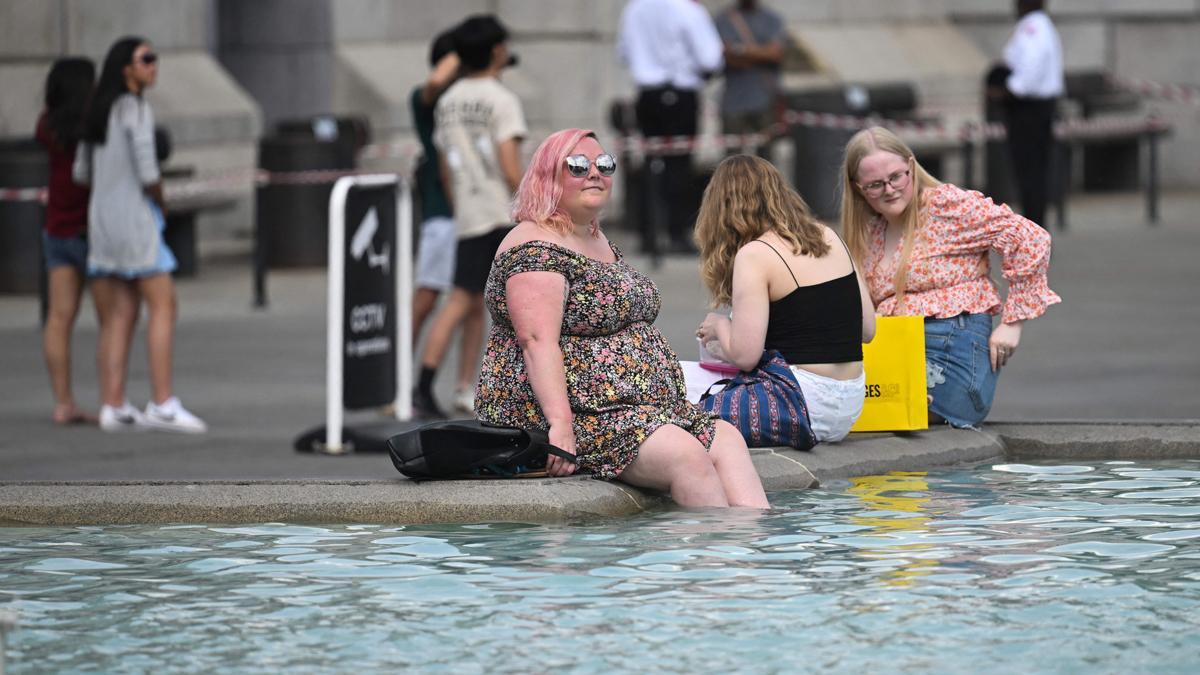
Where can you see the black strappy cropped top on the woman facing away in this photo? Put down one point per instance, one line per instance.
(818, 324)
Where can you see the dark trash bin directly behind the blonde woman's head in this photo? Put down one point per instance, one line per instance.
(820, 150)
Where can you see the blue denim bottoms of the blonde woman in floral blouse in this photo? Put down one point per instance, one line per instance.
(958, 368)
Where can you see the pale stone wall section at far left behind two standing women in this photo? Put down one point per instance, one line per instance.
(214, 123)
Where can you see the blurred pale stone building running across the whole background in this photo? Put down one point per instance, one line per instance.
(233, 70)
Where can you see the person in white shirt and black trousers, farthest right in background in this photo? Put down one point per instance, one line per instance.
(1034, 55)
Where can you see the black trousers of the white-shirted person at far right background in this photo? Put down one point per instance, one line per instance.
(1030, 124)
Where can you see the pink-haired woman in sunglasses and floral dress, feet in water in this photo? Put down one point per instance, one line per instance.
(574, 349)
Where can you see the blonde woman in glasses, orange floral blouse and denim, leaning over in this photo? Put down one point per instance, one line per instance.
(923, 249)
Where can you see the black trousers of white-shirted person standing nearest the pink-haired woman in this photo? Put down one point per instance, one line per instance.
(667, 111)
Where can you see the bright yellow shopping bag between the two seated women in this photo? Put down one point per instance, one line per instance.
(896, 377)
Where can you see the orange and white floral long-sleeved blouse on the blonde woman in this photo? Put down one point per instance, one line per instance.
(950, 271)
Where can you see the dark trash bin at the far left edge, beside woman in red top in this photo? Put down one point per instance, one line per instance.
(23, 164)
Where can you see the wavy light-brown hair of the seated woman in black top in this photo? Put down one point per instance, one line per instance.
(747, 199)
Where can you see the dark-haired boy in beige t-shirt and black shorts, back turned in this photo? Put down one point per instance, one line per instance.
(479, 127)
